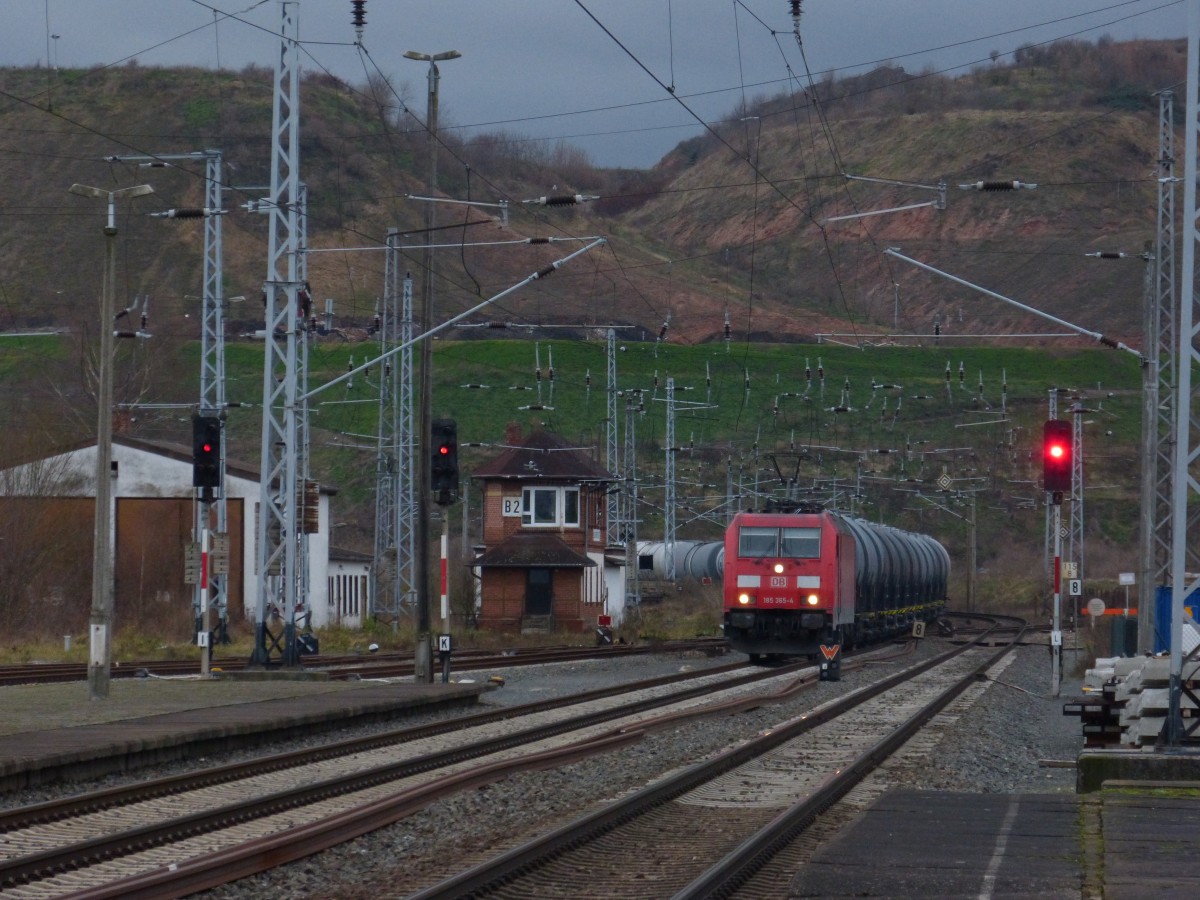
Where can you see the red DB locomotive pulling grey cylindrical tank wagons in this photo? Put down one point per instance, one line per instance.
(795, 581)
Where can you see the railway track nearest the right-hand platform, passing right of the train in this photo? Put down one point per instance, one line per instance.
(742, 808)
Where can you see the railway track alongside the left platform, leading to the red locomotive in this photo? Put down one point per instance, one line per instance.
(178, 836)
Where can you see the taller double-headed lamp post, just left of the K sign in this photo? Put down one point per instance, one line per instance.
(424, 656)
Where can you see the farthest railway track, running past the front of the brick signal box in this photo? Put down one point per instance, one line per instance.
(385, 665)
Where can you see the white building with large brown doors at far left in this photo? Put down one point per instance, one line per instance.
(154, 515)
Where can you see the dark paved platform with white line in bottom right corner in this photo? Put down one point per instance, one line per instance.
(1132, 844)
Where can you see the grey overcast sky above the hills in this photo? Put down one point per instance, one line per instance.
(593, 73)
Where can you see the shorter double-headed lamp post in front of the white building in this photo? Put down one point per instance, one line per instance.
(100, 647)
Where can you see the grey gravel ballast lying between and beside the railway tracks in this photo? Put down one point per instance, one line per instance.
(997, 740)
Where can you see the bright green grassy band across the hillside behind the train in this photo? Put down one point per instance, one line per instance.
(904, 425)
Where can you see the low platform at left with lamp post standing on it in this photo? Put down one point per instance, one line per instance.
(53, 733)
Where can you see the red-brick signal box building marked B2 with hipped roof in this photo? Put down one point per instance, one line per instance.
(542, 566)
